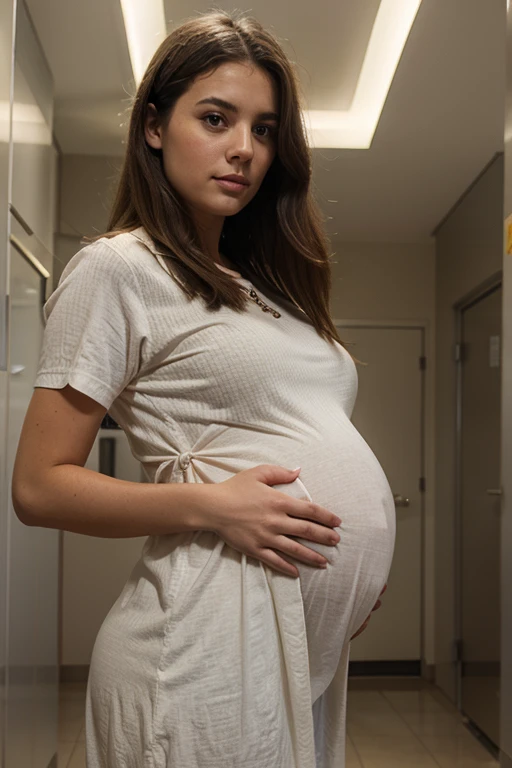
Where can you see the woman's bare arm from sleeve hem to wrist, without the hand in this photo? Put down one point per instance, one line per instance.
(51, 487)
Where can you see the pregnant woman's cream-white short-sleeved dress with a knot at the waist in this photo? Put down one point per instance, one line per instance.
(210, 658)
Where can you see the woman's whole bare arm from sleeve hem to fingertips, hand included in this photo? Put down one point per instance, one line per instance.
(51, 488)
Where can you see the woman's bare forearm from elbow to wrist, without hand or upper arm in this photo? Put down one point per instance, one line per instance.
(76, 499)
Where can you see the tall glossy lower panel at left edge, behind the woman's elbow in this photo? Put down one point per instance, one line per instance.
(32, 710)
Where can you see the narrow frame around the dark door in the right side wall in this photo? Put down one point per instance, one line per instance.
(478, 293)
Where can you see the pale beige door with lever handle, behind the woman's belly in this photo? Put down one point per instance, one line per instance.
(389, 415)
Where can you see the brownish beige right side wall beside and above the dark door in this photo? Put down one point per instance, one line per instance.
(469, 250)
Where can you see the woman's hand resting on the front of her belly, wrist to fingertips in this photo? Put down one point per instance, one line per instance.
(257, 520)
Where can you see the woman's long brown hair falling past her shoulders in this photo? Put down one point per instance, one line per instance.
(279, 234)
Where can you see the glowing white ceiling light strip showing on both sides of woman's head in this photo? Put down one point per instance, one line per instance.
(348, 129)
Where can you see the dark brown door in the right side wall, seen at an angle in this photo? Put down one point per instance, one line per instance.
(479, 513)
